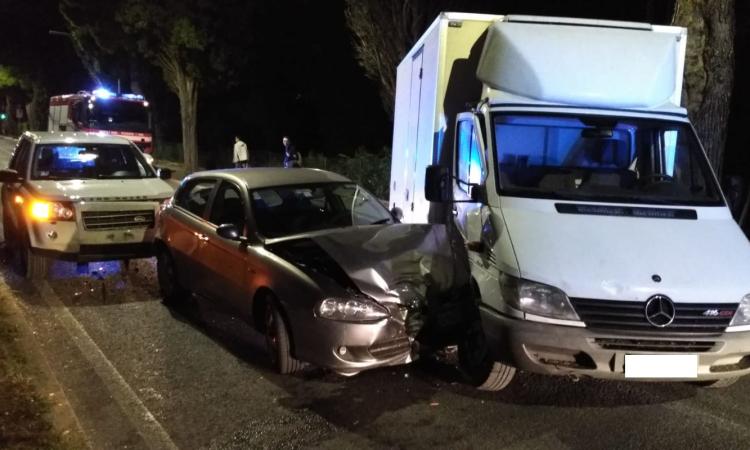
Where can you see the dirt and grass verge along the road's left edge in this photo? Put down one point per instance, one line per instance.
(34, 412)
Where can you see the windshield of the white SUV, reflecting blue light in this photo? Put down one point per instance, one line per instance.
(80, 161)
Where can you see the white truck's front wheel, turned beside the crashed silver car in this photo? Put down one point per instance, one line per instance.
(476, 364)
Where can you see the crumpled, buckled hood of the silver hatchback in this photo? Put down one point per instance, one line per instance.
(379, 261)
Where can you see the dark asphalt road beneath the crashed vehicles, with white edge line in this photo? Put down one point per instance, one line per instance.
(139, 375)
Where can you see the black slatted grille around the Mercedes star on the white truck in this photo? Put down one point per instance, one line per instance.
(631, 316)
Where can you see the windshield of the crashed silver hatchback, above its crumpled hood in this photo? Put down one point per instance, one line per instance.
(287, 210)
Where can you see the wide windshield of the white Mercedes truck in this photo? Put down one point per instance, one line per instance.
(599, 158)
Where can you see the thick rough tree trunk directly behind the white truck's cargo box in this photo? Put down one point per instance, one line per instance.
(709, 70)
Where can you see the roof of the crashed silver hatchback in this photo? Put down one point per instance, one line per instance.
(260, 177)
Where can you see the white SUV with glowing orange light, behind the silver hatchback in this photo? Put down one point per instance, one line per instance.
(79, 197)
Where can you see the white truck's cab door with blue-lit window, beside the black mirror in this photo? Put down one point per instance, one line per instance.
(469, 169)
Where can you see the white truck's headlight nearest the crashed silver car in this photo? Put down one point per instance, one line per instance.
(538, 299)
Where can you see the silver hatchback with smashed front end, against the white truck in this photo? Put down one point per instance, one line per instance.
(309, 258)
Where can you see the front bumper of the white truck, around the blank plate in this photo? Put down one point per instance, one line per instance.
(563, 350)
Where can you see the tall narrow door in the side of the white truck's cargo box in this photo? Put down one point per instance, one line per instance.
(412, 139)
